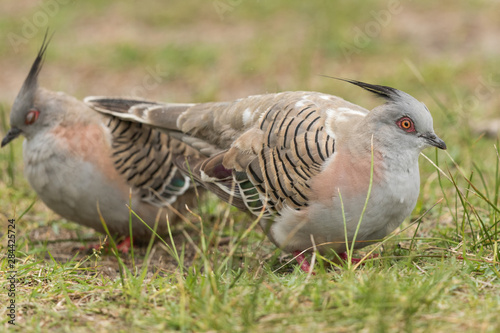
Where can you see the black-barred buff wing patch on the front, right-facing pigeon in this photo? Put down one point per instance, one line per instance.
(296, 146)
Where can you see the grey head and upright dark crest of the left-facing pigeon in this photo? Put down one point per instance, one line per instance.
(27, 115)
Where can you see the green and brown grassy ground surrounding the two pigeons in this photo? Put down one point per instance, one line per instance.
(440, 272)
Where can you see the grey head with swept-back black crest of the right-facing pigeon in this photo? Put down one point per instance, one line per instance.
(402, 120)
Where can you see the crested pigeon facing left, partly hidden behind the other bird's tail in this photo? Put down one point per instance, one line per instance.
(75, 161)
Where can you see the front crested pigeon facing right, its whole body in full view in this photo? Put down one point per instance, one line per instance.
(302, 161)
